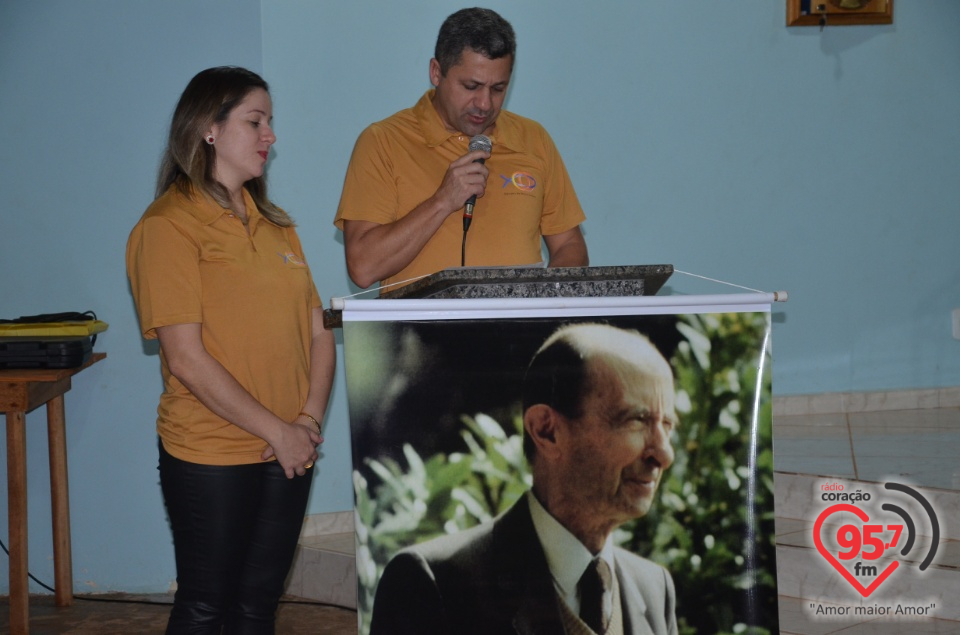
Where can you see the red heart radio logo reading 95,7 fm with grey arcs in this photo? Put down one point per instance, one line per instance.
(870, 544)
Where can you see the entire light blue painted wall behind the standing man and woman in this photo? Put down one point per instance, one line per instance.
(704, 135)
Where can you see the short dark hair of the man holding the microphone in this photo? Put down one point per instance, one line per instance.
(480, 30)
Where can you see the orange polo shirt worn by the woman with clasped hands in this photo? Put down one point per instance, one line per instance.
(191, 261)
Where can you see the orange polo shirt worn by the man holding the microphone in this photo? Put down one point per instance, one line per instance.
(400, 162)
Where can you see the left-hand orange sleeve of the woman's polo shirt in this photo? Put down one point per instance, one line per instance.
(163, 264)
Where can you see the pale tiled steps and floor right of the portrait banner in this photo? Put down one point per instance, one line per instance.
(862, 451)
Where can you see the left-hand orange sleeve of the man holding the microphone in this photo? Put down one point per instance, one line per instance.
(369, 188)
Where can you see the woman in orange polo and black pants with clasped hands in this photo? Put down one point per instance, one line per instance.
(219, 277)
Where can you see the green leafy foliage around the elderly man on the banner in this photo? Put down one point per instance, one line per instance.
(713, 526)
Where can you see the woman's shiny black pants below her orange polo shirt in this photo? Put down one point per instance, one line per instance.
(235, 530)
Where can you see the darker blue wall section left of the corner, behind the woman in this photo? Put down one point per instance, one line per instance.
(87, 90)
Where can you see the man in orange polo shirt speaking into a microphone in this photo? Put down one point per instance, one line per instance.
(411, 173)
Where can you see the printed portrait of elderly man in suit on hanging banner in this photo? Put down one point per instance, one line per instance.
(608, 474)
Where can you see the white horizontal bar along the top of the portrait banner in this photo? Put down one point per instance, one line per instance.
(380, 310)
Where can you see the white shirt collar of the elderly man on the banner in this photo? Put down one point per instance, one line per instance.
(566, 555)
